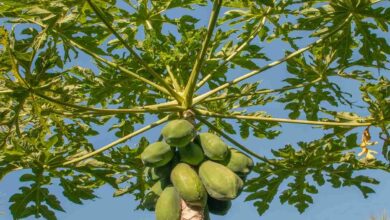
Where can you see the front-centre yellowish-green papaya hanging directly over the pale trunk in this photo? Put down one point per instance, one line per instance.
(188, 184)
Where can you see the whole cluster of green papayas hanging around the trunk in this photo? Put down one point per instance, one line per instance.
(199, 169)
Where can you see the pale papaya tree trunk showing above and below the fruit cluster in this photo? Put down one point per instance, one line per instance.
(190, 212)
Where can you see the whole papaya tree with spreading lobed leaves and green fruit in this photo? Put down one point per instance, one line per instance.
(194, 70)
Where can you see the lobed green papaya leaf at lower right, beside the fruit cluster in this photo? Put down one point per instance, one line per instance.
(326, 160)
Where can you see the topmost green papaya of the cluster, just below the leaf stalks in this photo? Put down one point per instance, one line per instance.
(178, 133)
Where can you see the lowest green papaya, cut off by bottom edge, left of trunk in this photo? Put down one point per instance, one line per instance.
(168, 206)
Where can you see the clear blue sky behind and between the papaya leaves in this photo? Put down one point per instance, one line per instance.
(329, 203)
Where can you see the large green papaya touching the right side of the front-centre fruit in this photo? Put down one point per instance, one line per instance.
(220, 182)
